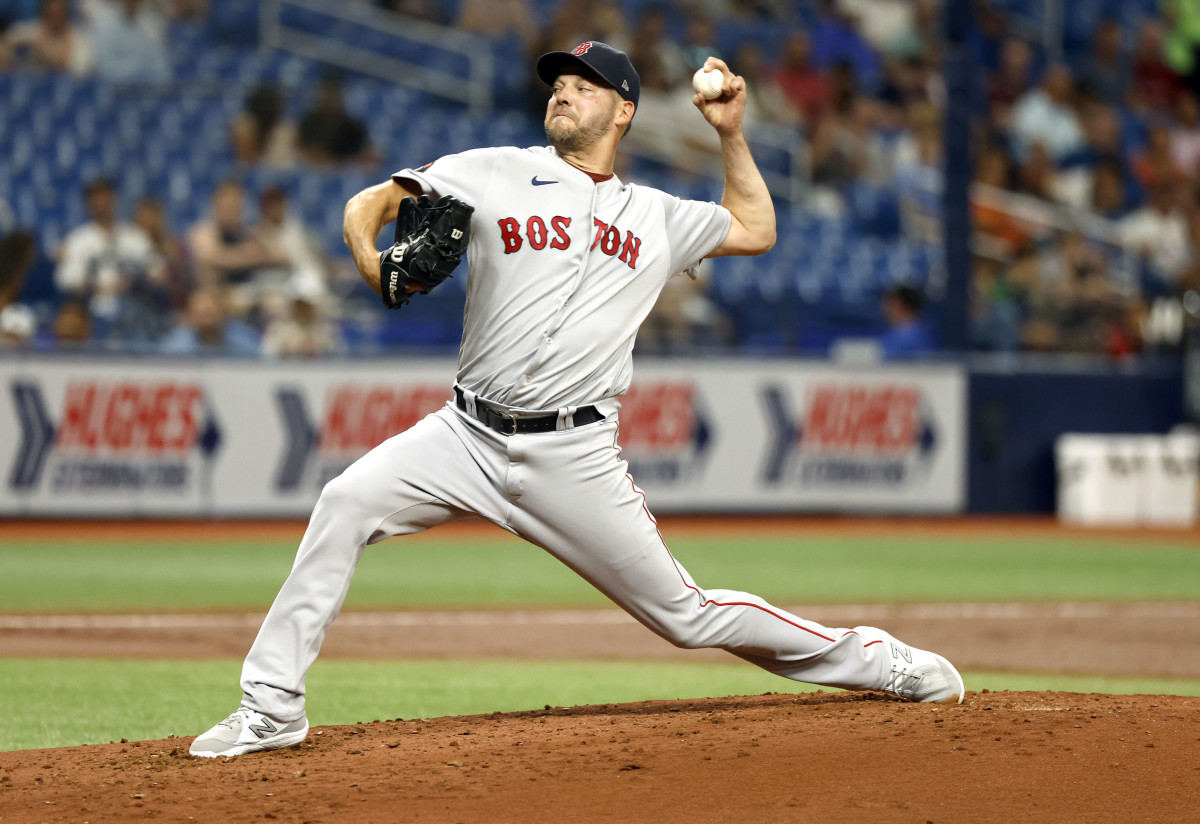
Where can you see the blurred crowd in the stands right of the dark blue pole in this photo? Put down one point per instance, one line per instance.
(1097, 251)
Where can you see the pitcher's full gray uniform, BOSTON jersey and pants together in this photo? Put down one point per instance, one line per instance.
(563, 270)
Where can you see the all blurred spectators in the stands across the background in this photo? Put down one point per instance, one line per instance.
(1087, 164)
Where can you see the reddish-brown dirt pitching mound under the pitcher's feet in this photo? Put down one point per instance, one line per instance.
(824, 757)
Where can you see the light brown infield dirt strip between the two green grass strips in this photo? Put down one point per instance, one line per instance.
(1135, 640)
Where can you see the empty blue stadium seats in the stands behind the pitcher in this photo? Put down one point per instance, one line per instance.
(825, 275)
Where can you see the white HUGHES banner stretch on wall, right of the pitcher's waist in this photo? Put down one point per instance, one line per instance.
(771, 436)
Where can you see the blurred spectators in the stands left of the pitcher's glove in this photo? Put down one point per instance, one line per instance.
(247, 280)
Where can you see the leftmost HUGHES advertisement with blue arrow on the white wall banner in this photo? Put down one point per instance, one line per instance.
(86, 441)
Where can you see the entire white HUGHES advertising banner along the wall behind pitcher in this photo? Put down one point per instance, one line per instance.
(133, 438)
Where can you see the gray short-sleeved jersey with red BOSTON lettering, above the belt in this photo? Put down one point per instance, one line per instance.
(563, 272)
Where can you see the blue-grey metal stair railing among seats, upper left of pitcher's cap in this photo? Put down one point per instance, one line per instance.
(475, 52)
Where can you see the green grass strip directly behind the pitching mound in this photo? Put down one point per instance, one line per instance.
(63, 702)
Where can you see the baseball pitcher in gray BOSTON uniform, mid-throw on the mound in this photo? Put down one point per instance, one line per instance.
(566, 263)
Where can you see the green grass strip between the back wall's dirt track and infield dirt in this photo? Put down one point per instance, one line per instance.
(187, 575)
